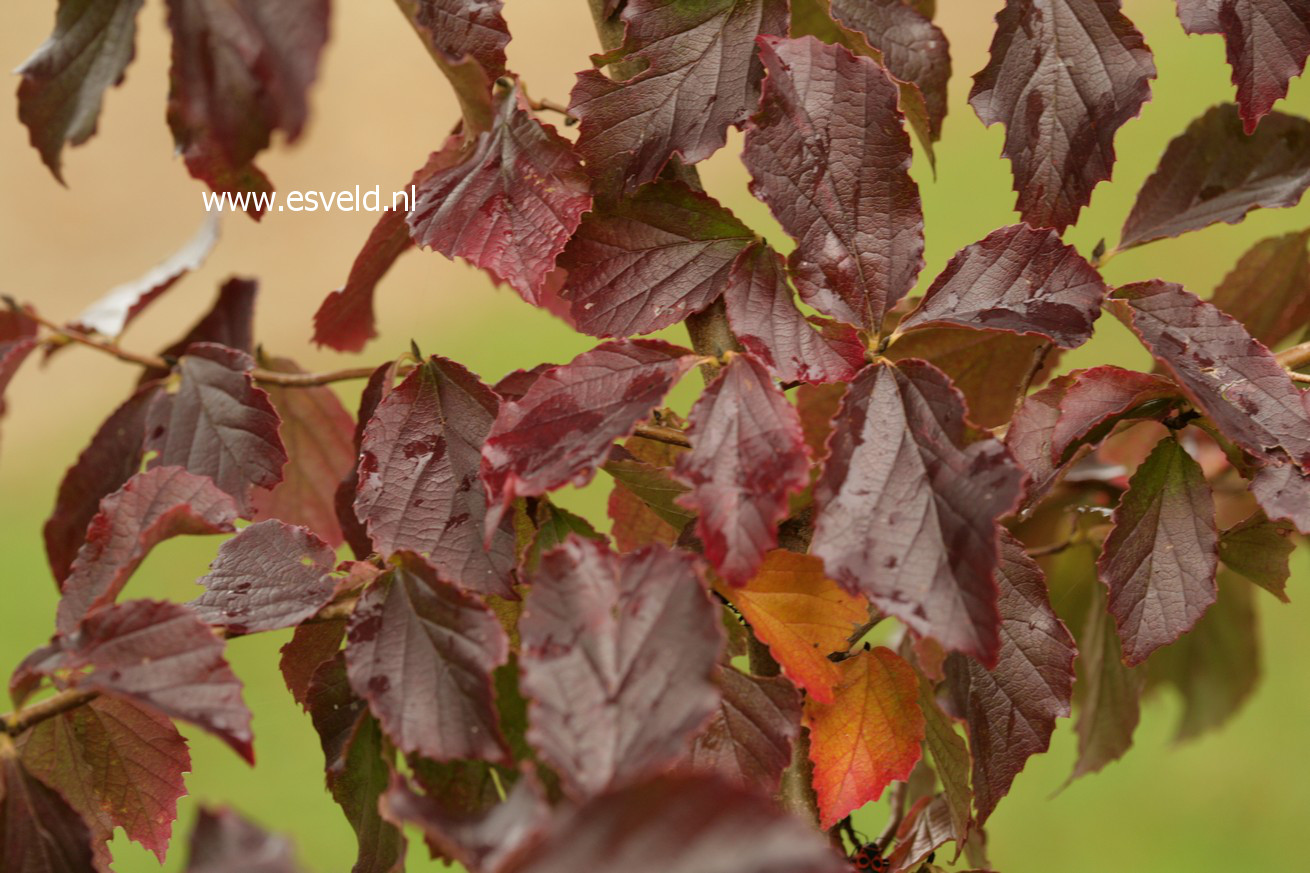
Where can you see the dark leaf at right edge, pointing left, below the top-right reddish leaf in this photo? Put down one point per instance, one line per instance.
(1216, 174)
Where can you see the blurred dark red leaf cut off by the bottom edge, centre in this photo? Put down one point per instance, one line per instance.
(683, 824)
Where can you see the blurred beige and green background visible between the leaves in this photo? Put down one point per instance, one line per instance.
(1231, 802)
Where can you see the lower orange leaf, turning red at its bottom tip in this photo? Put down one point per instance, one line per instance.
(869, 737)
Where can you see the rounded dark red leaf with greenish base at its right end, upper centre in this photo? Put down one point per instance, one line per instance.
(652, 260)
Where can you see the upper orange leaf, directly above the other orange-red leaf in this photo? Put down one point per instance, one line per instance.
(802, 617)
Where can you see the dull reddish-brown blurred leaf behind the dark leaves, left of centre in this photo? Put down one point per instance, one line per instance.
(320, 440)
